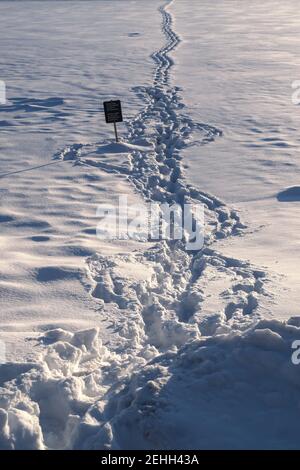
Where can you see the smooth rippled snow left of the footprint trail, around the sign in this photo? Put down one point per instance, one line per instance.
(56, 80)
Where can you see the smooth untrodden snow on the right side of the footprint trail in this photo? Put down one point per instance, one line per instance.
(242, 60)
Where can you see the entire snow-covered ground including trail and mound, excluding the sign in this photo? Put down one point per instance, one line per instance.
(127, 345)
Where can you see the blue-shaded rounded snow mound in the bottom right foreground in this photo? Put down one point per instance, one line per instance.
(231, 391)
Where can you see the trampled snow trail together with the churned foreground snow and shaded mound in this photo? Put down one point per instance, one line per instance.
(193, 362)
